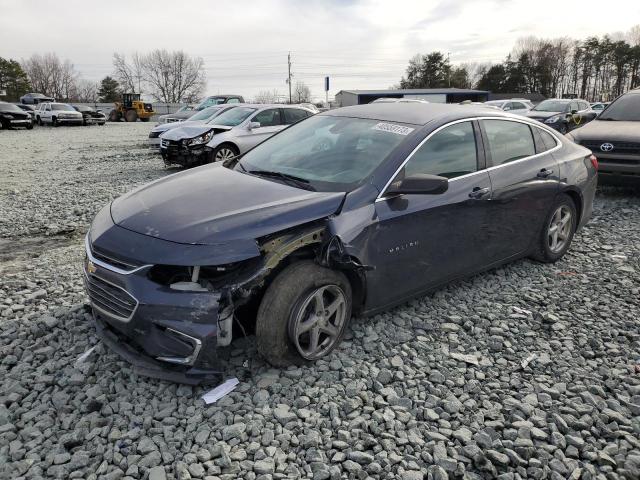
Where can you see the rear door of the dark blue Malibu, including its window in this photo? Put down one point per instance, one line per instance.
(524, 179)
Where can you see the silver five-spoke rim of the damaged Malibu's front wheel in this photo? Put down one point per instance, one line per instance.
(319, 322)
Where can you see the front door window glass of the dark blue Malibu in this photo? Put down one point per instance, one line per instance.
(449, 153)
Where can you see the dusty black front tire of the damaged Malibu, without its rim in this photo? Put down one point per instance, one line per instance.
(283, 301)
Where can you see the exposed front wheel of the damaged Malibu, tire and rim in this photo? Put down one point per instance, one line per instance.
(303, 315)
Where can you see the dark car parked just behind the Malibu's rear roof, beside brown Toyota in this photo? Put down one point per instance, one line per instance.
(563, 115)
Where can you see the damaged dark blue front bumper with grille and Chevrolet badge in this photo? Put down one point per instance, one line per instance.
(164, 333)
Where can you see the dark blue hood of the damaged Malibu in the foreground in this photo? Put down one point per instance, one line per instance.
(214, 205)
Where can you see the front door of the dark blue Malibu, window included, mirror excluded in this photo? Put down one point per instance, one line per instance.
(420, 241)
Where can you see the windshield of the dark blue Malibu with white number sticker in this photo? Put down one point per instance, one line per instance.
(331, 153)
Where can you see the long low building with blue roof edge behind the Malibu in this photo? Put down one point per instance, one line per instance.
(345, 98)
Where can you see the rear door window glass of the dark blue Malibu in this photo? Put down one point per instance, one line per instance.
(508, 141)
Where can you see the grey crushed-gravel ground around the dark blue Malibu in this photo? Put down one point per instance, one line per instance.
(527, 371)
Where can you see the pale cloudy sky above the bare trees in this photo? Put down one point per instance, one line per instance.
(359, 44)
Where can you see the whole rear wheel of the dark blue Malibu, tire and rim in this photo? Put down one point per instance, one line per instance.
(557, 231)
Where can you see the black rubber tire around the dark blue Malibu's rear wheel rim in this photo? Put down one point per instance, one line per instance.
(544, 251)
